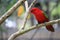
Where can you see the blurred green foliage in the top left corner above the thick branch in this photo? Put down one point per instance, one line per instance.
(7, 4)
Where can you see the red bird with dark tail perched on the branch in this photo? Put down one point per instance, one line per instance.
(41, 18)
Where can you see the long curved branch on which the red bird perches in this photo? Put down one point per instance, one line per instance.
(19, 33)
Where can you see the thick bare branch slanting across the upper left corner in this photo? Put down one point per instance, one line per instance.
(10, 11)
